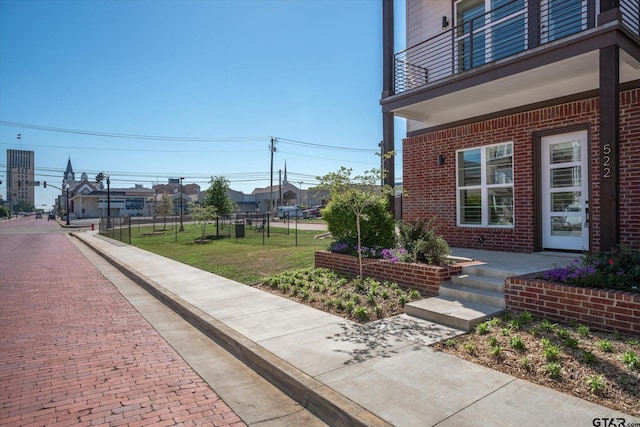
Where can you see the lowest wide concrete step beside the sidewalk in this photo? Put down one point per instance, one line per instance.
(462, 315)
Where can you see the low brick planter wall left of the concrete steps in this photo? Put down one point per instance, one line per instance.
(422, 277)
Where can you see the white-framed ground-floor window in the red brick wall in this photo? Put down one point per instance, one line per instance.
(485, 186)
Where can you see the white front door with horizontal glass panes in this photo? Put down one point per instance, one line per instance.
(565, 190)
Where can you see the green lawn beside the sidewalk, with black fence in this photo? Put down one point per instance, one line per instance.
(246, 260)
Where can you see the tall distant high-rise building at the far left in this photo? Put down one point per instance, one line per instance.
(20, 177)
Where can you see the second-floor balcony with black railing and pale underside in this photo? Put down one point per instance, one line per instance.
(520, 53)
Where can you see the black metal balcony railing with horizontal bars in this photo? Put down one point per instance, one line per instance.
(498, 34)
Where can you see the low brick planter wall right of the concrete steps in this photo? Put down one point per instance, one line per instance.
(600, 309)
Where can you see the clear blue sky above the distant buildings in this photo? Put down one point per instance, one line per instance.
(152, 89)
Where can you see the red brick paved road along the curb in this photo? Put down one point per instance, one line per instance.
(73, 351)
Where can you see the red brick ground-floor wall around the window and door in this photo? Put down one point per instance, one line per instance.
(431, 189)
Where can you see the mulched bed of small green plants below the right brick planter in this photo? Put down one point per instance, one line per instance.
(600, 367)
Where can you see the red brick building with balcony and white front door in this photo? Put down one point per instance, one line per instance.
(523, 130)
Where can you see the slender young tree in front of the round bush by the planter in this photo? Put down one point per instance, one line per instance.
(359, 193)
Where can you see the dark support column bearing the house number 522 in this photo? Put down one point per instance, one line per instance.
(609, 147)
